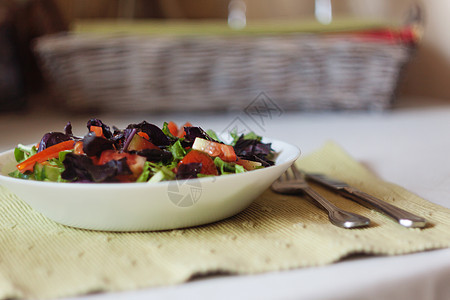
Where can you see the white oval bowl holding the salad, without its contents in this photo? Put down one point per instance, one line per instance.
(147, 206)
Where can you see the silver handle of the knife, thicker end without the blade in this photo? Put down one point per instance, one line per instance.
(403, 217)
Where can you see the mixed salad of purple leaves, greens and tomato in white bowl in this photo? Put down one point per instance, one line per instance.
(141, 152)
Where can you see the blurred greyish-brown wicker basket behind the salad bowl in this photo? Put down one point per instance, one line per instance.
(162, 73)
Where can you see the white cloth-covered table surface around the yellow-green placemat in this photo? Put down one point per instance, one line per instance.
(408, 145)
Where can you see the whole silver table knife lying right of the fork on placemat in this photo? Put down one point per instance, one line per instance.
(403, 217)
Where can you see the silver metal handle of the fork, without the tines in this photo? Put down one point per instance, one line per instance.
(336, 215)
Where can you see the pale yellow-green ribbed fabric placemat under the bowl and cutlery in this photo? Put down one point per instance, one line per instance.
(42, 259)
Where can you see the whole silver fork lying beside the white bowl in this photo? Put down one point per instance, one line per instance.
(295, 183)
